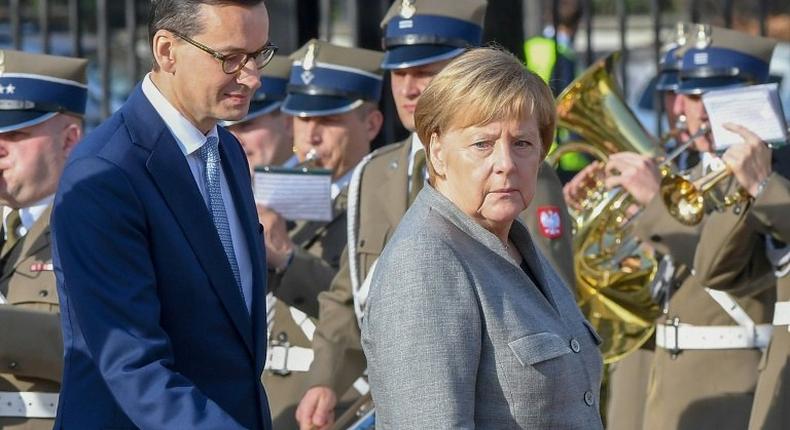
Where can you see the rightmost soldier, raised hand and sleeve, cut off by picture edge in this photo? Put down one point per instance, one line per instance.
(751, 242)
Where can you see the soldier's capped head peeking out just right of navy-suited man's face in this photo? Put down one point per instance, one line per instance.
(266, 134)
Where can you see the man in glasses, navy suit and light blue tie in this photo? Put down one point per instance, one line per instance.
(157, 250)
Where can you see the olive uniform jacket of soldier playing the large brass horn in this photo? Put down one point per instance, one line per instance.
(699, 389)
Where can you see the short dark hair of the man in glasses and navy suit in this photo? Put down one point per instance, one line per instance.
(180, 15)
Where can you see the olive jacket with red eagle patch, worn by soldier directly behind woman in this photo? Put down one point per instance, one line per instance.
(383, 195)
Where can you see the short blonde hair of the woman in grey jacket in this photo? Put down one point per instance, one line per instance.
(479, 87)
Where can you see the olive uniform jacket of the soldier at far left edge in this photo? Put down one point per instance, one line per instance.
(31, 345)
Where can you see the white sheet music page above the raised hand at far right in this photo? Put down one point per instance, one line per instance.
(755, 107)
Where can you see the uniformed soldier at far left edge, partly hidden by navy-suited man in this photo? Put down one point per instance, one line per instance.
(42, 101)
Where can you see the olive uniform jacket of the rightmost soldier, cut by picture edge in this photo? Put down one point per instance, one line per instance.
(732, 247)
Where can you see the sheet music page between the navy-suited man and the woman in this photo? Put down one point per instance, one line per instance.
(296, 194)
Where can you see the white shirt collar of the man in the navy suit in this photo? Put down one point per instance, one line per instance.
(188, 137)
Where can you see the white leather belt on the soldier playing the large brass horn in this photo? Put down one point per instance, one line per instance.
(686, 336)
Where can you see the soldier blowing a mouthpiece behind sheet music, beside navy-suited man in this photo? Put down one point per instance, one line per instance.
(332, 95)
